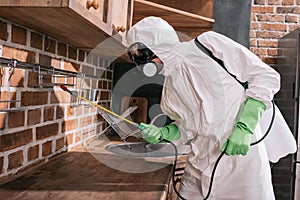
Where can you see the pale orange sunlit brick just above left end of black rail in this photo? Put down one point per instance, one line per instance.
(20, 55)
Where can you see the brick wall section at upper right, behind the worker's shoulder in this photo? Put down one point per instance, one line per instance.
(271, 20)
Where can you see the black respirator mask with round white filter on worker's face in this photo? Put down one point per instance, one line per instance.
(143, 57)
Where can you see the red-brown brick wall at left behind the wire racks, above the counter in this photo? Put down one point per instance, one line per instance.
(41, 123)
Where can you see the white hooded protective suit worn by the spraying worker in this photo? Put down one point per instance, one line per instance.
(204, 99)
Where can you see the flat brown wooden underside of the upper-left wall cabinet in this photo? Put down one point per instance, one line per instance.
(56, 20)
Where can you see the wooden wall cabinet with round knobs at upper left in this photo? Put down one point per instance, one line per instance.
(80, 23)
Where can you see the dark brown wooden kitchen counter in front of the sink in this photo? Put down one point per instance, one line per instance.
(91, 173)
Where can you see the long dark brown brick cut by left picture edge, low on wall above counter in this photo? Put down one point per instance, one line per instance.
(16, 139)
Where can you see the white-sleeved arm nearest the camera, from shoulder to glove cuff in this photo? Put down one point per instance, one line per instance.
(263, 81)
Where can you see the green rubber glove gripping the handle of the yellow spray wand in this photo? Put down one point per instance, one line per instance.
(154, 134)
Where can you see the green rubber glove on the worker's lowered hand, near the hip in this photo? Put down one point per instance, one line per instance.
(240, 138)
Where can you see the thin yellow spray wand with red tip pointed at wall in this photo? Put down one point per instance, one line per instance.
(75, 94)
